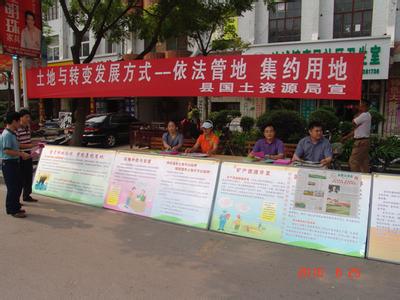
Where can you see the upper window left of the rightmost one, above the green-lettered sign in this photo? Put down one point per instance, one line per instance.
(285, 21)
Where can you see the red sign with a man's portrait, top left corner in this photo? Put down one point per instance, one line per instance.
(21, 27)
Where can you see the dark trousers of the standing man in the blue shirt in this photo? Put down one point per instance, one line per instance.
(12, 179)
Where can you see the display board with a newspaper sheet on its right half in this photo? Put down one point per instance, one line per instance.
(311, 208)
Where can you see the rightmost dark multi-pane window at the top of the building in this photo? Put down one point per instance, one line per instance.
(352, 18)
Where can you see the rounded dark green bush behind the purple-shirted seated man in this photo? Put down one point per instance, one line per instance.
(289, 125)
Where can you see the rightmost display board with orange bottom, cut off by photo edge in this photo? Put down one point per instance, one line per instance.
(384, 230)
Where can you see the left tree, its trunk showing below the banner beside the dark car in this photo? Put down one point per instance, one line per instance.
(114, 19)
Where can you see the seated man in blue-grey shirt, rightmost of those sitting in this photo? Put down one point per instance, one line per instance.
(315, 147)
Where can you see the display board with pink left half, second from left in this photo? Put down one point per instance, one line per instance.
(174, 189)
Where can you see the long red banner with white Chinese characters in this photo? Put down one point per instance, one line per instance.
(310, 76)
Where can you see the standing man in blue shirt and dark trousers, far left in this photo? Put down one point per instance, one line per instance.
(10, 156)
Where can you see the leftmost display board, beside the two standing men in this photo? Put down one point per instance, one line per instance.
(74, 174)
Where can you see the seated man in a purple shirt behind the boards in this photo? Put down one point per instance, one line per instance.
(269, 147)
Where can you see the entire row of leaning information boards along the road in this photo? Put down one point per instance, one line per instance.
(311, 208)
